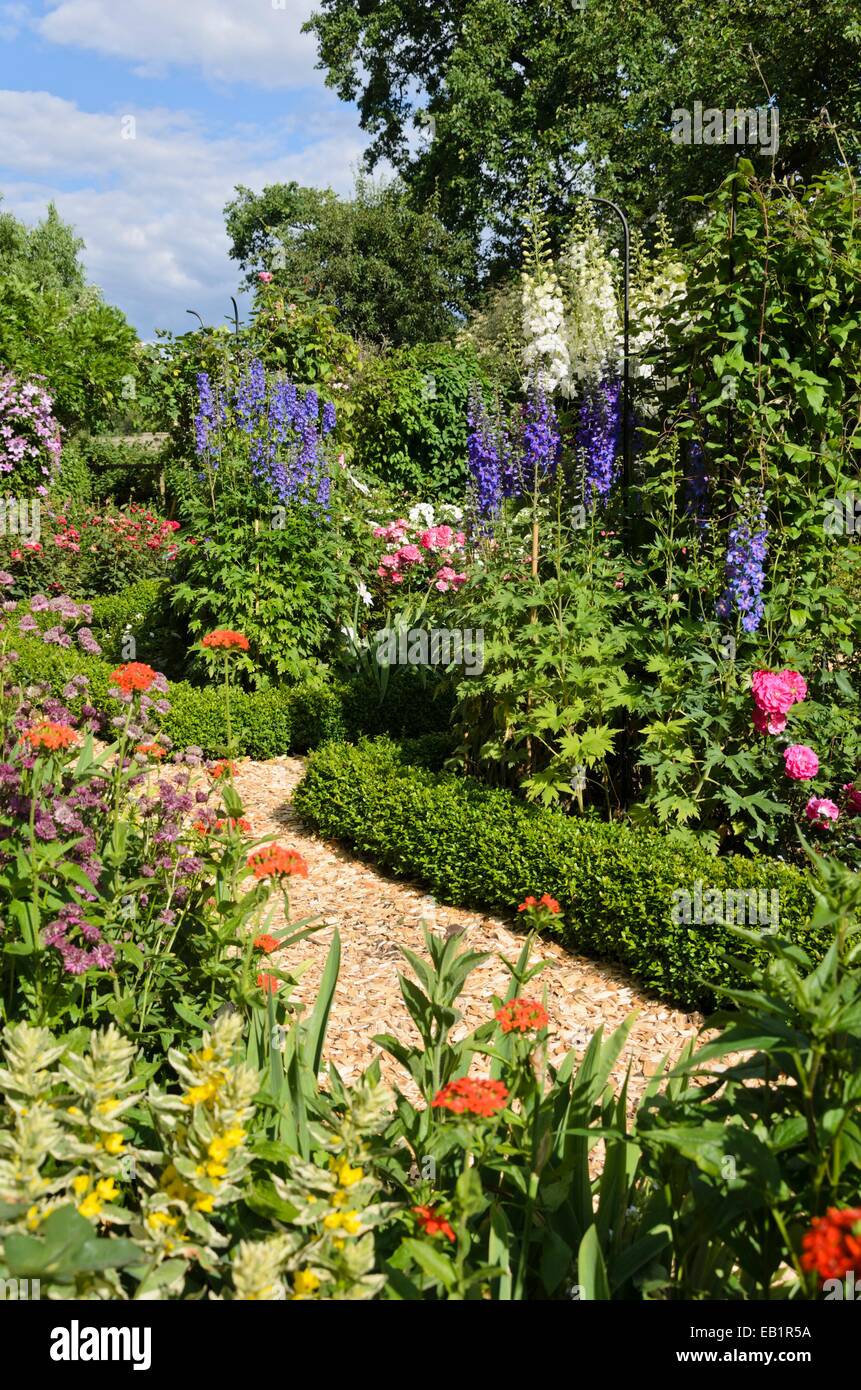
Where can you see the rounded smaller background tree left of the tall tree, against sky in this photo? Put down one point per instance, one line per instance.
(393, 272)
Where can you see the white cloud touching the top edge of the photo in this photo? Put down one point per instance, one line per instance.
(227, 41)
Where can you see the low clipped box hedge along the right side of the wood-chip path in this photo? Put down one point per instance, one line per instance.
(481, 847)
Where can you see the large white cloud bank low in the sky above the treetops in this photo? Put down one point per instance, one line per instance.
(151, 208)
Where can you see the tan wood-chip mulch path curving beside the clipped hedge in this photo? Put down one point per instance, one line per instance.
(376, 915)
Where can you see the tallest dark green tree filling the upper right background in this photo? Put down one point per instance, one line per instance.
(582, 95)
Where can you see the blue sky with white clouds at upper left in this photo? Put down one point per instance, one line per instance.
(138, 117)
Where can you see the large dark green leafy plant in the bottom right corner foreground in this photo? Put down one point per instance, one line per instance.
(752, 1154)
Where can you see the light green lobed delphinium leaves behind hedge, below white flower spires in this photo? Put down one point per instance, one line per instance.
(552, 705)
